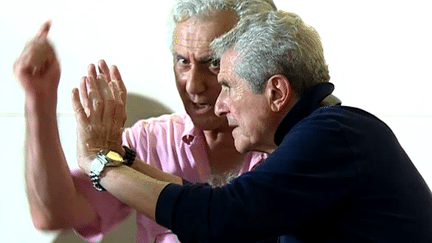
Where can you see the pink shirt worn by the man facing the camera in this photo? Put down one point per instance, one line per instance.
(171, 143)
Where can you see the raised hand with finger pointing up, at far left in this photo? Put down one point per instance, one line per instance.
(37, 68)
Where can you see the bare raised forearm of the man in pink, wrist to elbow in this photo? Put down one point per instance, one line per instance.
(52, 196)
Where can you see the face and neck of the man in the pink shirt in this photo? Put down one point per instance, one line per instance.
(196, 79)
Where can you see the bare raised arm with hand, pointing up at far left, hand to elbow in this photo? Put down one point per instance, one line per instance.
(53, 198)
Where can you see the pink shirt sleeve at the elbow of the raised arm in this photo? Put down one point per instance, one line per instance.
(109, 209)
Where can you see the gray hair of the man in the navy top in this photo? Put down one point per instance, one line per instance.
(275, 42)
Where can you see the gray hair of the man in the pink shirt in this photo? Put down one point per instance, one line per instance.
(207, 9)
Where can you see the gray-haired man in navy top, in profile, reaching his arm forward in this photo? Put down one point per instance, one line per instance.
(334, 174)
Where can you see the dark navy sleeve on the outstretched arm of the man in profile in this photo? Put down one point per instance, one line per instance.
(310, 174)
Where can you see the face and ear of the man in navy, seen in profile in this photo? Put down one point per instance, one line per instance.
(254, 117)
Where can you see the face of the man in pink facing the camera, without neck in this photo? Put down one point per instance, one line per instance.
(196, 70)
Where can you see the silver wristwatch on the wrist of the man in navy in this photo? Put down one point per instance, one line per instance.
(103, 159)
